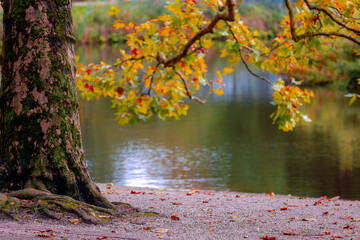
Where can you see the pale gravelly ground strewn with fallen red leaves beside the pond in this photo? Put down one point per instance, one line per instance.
(204, 215)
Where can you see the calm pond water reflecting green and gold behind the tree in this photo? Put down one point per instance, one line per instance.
(229, 143)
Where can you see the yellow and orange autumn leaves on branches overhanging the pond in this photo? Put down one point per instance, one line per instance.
(163, 62)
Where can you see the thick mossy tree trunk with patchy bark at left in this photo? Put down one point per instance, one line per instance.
(41, 144)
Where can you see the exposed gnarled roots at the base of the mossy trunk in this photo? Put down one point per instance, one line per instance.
(32, 201)
